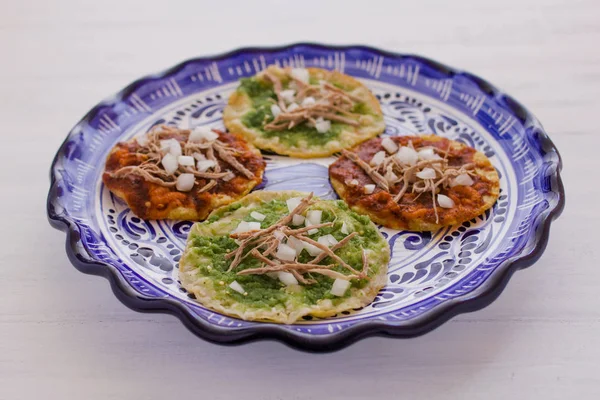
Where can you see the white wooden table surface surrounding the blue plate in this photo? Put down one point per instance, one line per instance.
(64, 335)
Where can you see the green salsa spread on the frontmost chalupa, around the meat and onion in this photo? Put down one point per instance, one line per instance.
(209, 242)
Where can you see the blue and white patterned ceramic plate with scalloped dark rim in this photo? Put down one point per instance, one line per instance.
(432, 276)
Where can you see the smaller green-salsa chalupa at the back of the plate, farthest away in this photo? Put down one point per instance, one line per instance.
(303, 112)
